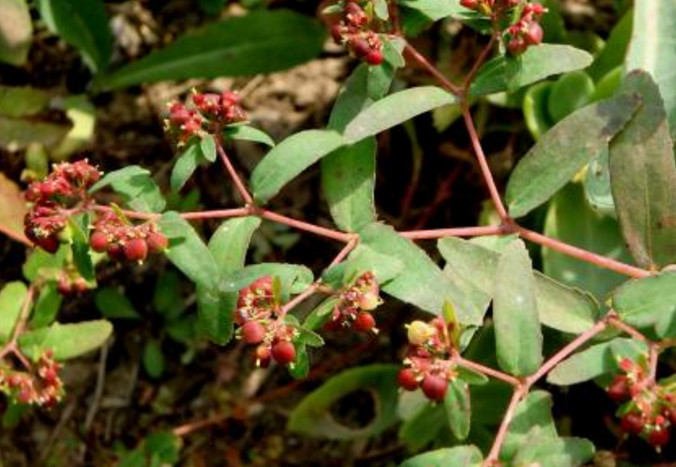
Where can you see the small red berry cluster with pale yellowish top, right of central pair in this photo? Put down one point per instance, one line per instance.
(356, 303)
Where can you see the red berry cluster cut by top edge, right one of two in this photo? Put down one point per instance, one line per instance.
(526, 31)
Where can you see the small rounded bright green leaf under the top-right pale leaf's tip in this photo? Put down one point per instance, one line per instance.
(569, 93)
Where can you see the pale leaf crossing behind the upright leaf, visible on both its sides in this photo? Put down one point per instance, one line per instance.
(559, 307)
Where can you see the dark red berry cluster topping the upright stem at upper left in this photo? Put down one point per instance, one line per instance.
(208, 113)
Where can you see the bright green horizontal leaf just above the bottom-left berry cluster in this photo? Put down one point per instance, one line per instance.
(66, 340)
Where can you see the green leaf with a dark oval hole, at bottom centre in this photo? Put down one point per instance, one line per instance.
(312, 417)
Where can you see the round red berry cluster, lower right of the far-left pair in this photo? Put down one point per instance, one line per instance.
(124, 241)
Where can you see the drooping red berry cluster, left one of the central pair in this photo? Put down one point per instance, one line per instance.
(258, 315)
